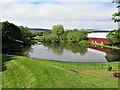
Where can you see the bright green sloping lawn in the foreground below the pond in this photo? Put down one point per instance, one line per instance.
(23, 72)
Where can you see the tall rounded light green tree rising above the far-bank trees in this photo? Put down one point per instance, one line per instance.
(58, 29)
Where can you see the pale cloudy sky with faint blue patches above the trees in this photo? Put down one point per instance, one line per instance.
(94, 14)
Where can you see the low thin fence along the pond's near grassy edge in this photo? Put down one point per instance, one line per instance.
(82, 65)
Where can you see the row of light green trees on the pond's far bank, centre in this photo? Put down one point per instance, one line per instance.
(60, 35)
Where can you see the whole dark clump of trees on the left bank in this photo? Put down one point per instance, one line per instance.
(16, 36)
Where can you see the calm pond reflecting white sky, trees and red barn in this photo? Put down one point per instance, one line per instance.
(71, 53)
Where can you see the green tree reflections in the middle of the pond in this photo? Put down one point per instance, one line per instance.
(58, 48)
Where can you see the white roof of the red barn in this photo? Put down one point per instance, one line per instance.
(98, 35)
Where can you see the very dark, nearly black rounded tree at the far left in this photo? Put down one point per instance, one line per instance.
(10, 32)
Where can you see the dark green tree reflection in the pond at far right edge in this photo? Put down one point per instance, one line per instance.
(113, 56)
